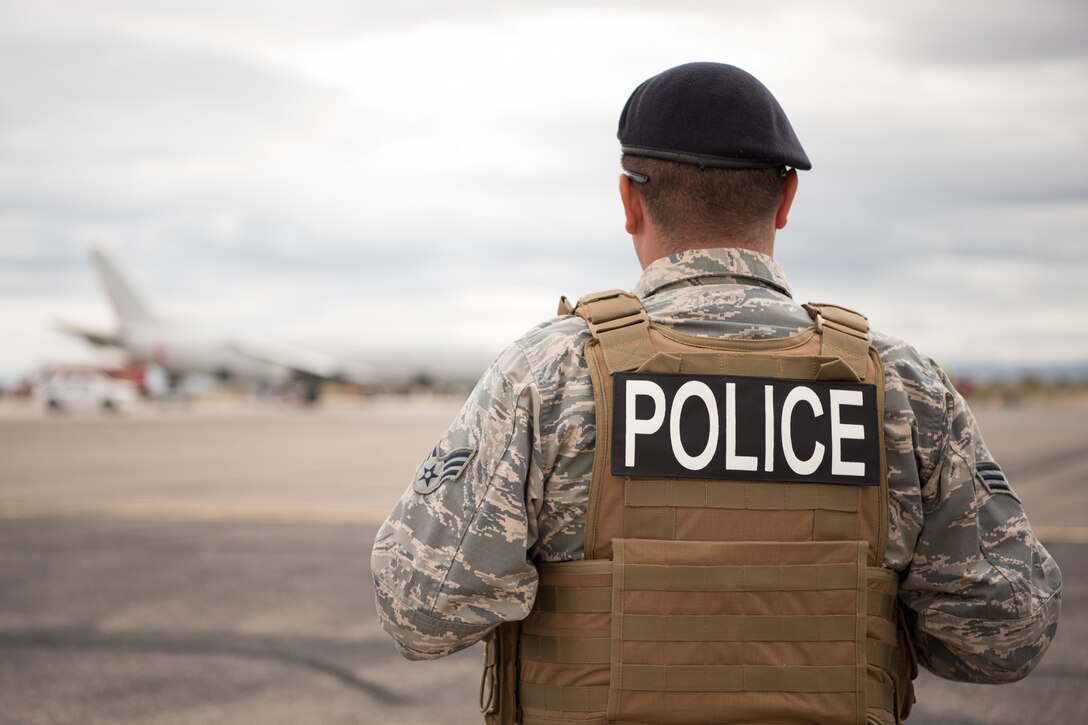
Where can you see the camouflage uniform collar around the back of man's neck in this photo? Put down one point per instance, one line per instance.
(743, 265)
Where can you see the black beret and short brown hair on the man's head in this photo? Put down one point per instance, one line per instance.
(714, 144)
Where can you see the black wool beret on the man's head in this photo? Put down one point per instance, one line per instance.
(710, 115)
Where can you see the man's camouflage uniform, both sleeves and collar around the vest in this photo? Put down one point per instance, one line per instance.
(508, 487)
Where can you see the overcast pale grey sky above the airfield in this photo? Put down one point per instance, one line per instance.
(365, 175)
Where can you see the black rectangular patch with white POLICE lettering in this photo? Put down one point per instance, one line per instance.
(746, 429)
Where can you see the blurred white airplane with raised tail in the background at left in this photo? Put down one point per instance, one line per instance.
(182, 349)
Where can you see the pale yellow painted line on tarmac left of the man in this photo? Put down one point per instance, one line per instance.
(196, 513)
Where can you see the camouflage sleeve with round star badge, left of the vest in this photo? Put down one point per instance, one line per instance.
(451, 561)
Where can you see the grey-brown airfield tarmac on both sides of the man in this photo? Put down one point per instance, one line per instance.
(212, 566)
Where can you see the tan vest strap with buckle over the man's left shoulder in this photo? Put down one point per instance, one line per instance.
(621, 325)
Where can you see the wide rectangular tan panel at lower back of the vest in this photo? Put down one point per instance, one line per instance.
(728, 633)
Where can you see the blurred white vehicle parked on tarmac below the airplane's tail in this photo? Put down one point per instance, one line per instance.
(83, 388)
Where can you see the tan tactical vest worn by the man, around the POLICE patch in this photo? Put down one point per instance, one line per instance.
(708, 601)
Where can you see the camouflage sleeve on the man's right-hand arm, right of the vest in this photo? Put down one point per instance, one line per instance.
(984, 594)
